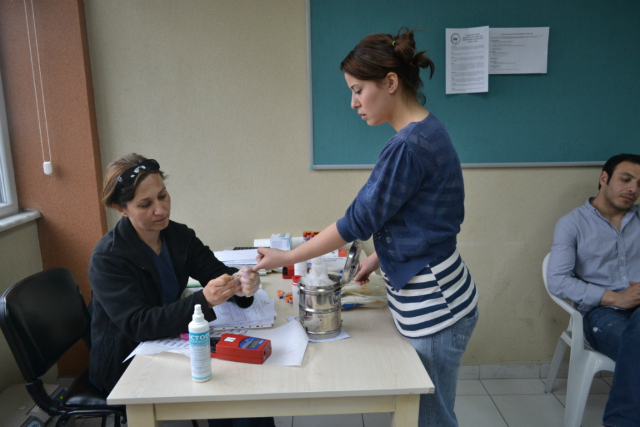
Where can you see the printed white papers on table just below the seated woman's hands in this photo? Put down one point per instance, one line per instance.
(261, 314)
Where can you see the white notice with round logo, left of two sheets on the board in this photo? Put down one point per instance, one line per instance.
(467, 60)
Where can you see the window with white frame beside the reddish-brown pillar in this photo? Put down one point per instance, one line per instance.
(8, 198)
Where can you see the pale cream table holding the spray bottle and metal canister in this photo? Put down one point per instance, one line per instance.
(376, 370)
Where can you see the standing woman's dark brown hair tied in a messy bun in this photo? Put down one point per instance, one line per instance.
(380, 54)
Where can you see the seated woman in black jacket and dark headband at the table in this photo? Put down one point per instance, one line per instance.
(139, 269)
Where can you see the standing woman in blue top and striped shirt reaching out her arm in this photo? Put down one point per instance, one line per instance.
(412, 205)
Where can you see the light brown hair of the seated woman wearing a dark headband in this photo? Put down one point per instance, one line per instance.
(112, 193)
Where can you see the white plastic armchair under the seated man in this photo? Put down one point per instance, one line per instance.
(584, 362)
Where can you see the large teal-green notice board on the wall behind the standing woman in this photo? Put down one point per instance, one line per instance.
(584, 110)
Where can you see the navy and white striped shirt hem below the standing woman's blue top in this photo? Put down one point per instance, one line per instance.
(436, 298)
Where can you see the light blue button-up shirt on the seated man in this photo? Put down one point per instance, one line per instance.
(589, 255)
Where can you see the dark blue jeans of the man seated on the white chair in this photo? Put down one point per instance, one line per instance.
(616, 333)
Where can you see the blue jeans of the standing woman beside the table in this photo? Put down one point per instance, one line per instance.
(441, 354)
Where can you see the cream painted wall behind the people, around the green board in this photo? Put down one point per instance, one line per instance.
(216, 91)
